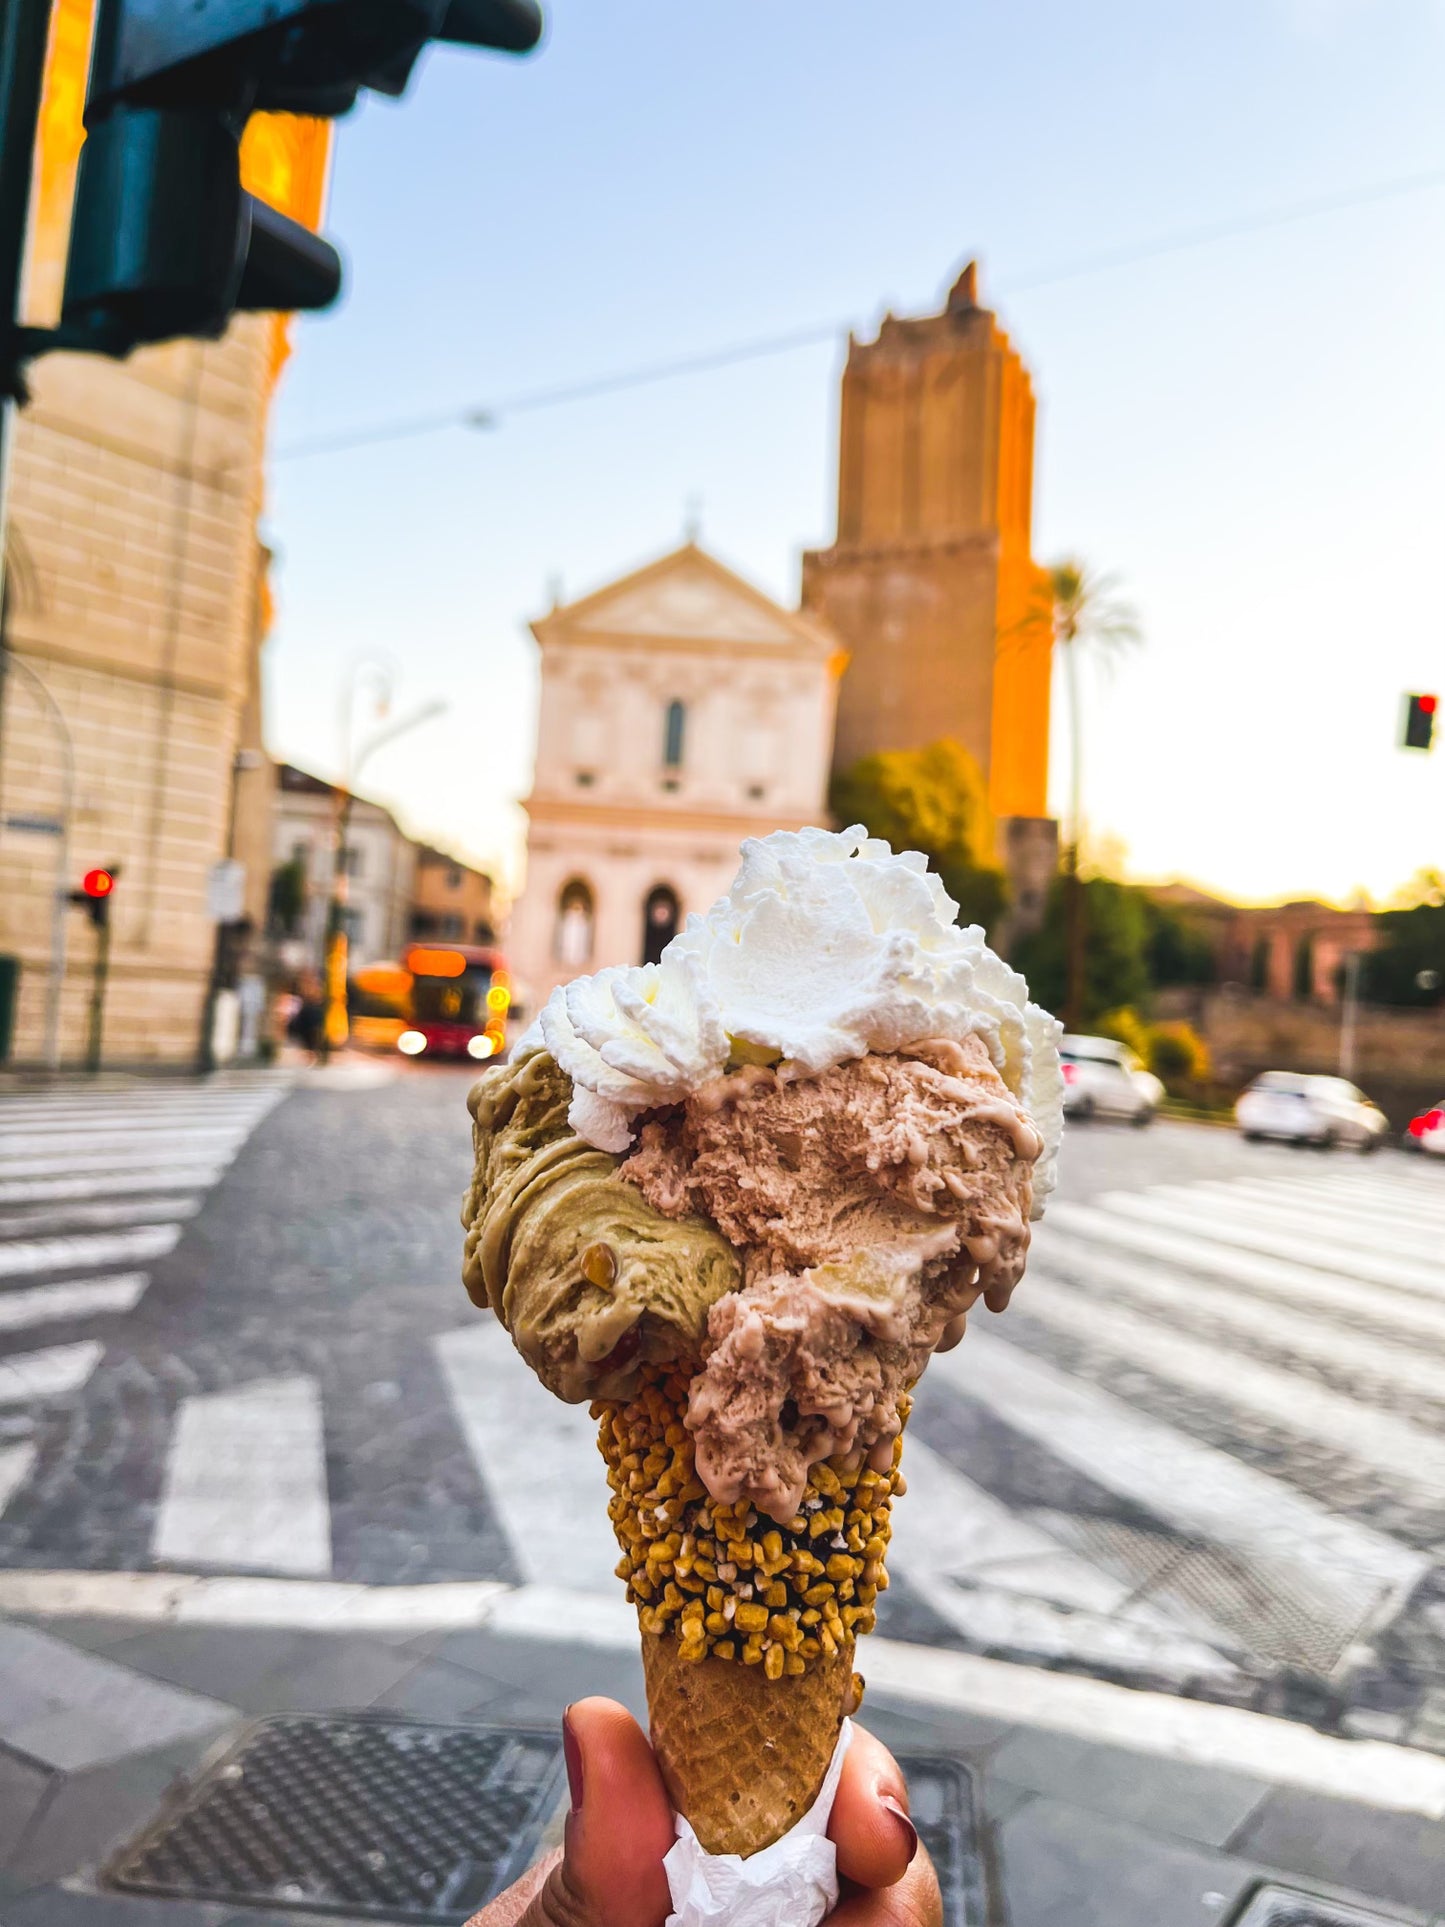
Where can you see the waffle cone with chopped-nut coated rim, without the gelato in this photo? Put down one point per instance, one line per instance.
(747, 1625)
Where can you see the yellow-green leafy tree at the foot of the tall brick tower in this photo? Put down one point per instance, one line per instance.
(932, 801)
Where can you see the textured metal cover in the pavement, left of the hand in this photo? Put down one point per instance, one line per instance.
(371, 1818)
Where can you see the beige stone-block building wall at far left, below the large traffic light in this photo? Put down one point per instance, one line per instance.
(134, 573)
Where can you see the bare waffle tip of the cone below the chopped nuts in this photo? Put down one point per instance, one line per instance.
(743, 1756)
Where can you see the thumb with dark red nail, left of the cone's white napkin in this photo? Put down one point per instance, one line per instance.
(617, 1834)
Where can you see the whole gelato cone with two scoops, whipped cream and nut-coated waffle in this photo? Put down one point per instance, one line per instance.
(737, 1201)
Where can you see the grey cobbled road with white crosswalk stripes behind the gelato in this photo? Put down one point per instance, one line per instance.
(1203, 1452)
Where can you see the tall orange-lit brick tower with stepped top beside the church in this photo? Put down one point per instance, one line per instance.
(932, 585)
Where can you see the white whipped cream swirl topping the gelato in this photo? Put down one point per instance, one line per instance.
(829, 945)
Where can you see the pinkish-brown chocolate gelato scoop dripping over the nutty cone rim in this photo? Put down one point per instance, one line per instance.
(874, 1203)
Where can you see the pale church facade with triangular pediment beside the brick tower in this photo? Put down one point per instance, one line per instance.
(681, 712)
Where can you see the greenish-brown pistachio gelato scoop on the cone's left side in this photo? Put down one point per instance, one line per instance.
(591, 1280)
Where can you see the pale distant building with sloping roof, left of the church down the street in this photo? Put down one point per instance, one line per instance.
(381, 862)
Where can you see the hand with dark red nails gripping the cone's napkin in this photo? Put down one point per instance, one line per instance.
(610, 1870)
